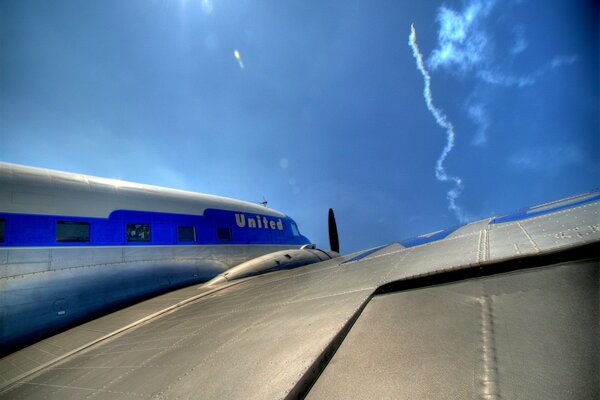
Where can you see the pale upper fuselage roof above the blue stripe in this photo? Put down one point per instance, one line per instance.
(44, 191)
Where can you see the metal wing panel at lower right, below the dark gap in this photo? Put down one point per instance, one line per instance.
(529, 334)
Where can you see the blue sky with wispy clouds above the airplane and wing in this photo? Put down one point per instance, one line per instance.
(324, 107)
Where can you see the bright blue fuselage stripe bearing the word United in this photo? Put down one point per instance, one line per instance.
(40, 230)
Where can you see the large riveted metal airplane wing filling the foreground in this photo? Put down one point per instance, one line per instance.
(501, 308)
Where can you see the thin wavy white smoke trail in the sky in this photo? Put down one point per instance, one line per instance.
(442, 120)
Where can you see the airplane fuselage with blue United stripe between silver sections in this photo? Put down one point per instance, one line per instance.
(47, 284)
